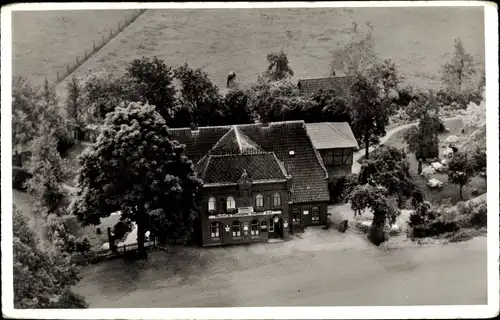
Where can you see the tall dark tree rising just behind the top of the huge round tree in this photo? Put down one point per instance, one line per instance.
(153, 81)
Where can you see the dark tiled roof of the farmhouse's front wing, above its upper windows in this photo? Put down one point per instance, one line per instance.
(223, 169)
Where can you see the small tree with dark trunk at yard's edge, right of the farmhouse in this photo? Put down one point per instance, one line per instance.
(374, 198)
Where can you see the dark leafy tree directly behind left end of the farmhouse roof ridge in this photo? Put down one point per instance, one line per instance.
(199, 96)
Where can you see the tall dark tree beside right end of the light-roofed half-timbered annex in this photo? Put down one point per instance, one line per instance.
(369, 113)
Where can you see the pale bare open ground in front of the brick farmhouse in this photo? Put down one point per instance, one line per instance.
(323, 268)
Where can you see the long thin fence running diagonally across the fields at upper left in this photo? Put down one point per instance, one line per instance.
(97, 45)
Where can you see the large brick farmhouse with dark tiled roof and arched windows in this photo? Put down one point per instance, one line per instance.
(260, 181)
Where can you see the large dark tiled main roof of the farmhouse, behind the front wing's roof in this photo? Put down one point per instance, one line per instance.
(306, 168)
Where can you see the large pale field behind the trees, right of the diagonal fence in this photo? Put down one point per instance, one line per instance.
(416, 39)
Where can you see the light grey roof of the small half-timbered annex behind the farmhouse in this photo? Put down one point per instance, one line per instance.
(331, 135)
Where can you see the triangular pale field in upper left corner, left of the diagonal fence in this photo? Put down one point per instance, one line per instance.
(44, 41)
